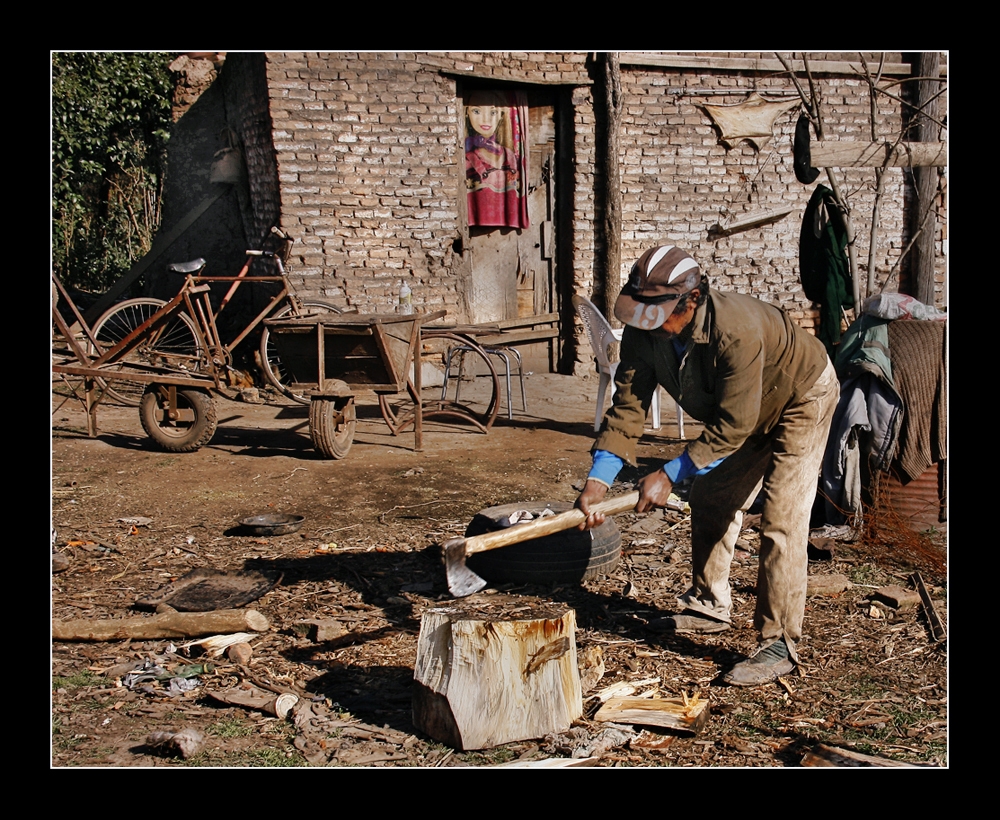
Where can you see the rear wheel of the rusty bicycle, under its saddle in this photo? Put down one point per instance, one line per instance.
(175, 343)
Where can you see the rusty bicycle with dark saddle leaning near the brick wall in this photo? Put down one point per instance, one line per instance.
(184, 340)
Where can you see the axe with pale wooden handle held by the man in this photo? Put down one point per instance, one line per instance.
(463, 581)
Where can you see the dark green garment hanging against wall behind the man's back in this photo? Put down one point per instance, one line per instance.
(823, 265)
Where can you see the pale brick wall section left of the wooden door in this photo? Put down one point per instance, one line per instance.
(366, 146)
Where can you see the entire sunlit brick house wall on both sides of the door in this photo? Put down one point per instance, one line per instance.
(367, 157)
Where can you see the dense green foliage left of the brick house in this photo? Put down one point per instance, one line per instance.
(111, 117)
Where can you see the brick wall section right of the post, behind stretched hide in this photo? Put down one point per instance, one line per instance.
(679, 179)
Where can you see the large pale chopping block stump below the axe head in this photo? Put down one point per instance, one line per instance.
(484, 678)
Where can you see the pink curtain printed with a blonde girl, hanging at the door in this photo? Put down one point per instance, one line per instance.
(496, 168)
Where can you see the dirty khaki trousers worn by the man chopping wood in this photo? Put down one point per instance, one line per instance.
(786, 464)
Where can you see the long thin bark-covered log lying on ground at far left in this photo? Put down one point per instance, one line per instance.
(166, 625)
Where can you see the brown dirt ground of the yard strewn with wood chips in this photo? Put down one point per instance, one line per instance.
(129, 518)
